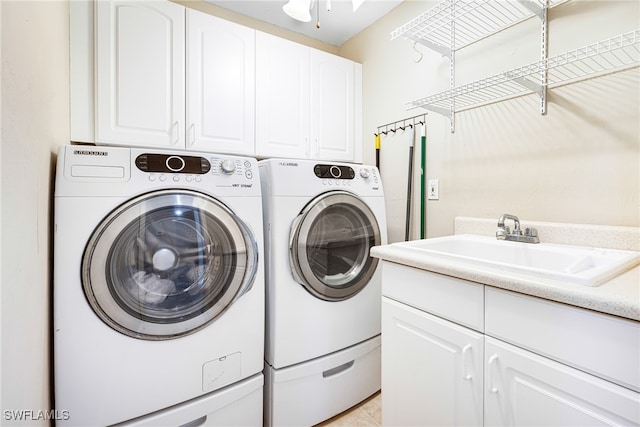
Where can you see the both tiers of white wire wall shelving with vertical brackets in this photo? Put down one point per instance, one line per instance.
(454, 24)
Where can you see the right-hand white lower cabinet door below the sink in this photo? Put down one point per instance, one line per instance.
(525, 389)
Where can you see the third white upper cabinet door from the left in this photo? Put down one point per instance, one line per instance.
(282, 97)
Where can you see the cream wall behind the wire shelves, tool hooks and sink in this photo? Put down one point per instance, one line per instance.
(579, 163)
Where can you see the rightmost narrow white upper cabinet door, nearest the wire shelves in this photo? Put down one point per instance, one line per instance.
(332, 107)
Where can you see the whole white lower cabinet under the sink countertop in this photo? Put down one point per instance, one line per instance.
(553, 364)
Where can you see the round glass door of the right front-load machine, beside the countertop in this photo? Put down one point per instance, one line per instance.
(329, 246)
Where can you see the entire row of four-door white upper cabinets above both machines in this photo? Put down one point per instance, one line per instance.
(157, 74)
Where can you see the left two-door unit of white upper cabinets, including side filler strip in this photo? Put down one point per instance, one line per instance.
(165, 77)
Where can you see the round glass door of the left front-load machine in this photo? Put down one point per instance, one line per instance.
(167, 263)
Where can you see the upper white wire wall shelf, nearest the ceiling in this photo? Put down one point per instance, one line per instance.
(454, 24)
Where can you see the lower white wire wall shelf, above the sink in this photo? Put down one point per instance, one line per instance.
(615, 54)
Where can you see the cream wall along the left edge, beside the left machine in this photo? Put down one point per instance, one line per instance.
(35, 120)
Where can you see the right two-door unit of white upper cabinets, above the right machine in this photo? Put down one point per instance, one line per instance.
(307, 102)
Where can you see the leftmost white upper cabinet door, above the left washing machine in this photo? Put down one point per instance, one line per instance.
(140, 73)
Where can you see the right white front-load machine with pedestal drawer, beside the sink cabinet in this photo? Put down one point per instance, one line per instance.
(322, 344)
